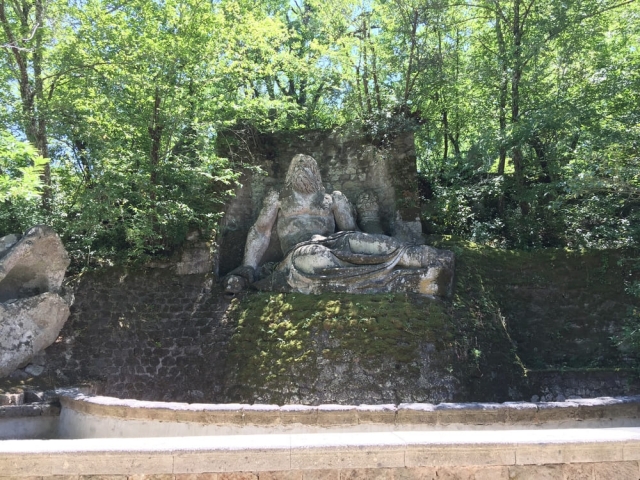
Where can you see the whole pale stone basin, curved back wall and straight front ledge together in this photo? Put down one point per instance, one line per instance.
(98, 436)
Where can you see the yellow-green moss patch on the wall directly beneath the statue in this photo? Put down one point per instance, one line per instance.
(283, 335)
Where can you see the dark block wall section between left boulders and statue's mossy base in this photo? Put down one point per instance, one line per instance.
(149, 334)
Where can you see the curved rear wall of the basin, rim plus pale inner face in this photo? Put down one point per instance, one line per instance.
(95, 416)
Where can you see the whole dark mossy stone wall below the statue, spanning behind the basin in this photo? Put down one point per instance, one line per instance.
(520, 325)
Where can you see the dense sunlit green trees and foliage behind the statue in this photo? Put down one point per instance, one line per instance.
(526, 113)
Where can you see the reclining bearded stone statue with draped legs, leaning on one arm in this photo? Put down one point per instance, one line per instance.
(325, 251)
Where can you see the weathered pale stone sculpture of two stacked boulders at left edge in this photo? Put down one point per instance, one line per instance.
(32, 310)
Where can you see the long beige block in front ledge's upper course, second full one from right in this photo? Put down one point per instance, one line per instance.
(418, 456)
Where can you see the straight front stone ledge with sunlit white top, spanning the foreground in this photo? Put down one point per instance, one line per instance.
(605, 450)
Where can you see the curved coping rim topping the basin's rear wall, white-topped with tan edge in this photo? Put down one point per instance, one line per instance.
(622, 411)
